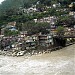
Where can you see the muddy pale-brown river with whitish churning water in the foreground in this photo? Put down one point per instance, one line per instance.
(60, 62)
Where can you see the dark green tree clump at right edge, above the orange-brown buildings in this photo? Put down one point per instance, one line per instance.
(66, 20)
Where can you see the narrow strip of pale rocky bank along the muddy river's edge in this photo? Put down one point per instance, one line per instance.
(30, 52)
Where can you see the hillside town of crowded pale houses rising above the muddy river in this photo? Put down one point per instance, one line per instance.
(13, 40)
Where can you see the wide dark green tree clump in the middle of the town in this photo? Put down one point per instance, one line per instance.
(33, 27)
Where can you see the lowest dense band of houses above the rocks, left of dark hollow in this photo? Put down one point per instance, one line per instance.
(26, 42)
